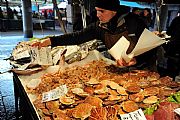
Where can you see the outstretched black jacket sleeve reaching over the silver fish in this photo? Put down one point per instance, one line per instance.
(76, 38)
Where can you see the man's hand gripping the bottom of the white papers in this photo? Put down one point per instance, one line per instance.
(122, 62)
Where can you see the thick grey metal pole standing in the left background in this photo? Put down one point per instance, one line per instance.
(27, 18)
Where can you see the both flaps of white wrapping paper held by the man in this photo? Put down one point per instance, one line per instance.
(146, 42)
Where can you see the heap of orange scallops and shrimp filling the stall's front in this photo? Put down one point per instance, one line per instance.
(99, 91)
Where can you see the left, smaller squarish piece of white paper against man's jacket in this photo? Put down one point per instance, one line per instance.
(118, 51)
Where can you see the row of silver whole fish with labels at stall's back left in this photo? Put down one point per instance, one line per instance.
(28, 60)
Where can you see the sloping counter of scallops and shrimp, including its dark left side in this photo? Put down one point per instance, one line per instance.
(93, 86)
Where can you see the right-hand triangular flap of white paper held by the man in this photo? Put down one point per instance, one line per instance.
(146, 42)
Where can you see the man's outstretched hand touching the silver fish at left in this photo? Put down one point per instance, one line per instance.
(43, 43)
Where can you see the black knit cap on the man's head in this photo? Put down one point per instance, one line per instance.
(112, 5)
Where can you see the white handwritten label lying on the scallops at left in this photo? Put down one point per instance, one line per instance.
(55, 93)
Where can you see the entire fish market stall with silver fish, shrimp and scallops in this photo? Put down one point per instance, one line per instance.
(87, 85)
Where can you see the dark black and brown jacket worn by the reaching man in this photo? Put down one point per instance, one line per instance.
(120, 25)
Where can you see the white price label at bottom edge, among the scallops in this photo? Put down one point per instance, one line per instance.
(136, 115)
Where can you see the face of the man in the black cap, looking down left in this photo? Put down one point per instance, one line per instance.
(105, 15)
